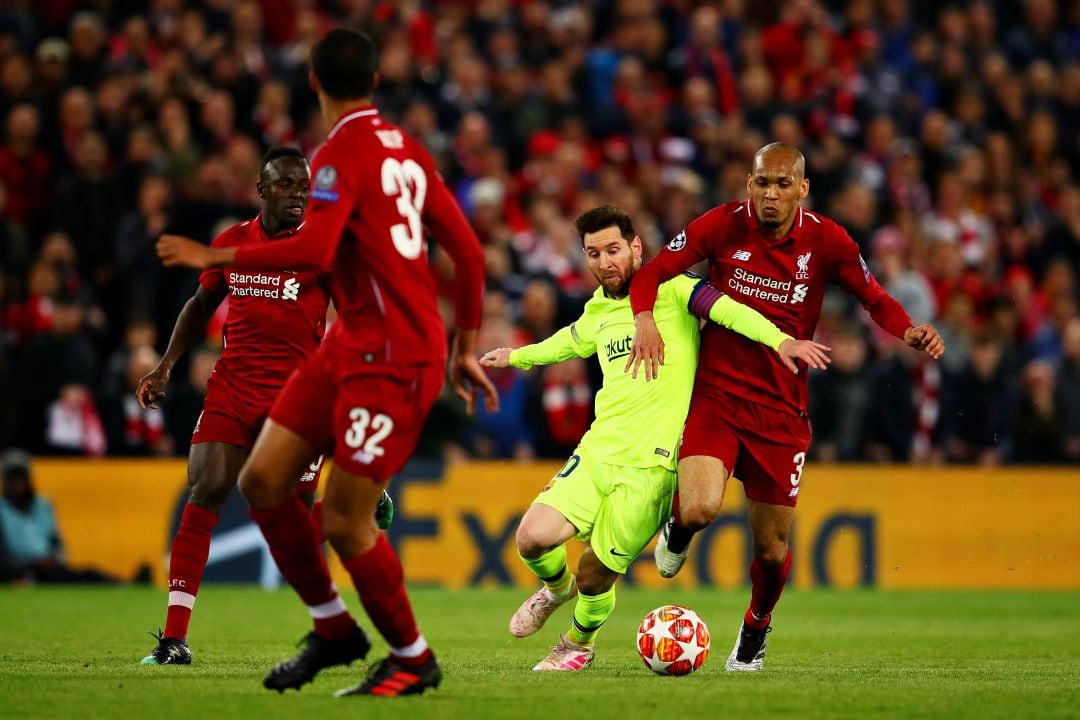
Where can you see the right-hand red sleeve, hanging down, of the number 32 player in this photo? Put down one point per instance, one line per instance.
(449, 228)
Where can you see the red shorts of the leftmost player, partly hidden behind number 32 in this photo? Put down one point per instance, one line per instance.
(228, 419)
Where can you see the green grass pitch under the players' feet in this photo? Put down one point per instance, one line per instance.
(75, 653)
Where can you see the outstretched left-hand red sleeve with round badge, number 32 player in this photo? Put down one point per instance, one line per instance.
(317, 241)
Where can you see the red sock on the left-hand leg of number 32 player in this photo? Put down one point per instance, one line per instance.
(292, 538)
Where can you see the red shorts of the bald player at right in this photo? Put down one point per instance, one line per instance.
(761, 446)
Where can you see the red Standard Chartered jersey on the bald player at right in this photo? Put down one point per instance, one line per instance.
(785, 280)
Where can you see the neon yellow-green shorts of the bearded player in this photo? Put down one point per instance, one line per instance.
(618, 510)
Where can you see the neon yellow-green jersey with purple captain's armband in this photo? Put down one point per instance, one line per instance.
(639, 424)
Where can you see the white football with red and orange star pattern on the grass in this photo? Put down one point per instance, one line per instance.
(673, 641)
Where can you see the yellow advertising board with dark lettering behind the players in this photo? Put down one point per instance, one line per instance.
(892, 527)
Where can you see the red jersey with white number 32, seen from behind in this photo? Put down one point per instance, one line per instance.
(374, 191)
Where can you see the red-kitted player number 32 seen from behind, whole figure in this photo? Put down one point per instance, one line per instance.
(369, 388)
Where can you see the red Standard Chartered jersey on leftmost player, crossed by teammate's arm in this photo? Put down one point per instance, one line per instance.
(276, 318)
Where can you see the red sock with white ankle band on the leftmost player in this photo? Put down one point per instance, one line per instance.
(186, 564)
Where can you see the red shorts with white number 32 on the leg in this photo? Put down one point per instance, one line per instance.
(371, 414)
